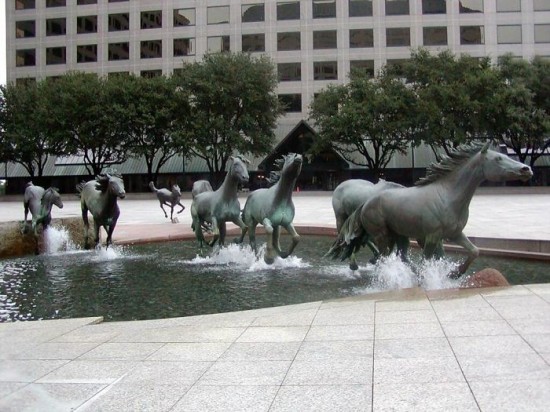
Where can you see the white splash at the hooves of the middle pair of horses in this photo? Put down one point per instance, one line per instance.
(242, 256)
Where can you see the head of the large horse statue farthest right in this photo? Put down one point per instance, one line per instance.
(500, 168)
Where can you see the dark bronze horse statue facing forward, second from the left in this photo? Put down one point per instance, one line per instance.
(100, 197)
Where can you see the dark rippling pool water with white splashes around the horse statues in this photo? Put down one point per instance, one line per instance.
(171, 279)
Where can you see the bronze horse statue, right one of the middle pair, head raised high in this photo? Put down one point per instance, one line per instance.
(273, 208)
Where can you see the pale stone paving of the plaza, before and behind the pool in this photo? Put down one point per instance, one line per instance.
(406, 350)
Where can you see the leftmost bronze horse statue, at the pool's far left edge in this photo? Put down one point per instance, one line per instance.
(39, 202)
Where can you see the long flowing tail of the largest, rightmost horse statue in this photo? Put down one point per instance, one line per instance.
(351, 237)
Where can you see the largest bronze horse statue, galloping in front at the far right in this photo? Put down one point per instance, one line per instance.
(434, 210)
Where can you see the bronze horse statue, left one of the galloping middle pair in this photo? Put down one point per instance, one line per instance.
(220, 206)
